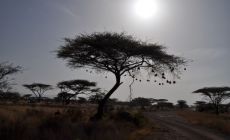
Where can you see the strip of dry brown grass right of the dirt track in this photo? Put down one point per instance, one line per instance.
(220, 123)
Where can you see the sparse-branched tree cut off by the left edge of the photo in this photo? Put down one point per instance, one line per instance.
(7, 70)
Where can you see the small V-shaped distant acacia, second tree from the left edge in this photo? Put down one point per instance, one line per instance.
(38, 89)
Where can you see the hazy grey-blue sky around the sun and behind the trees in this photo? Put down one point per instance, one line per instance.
(30, 30)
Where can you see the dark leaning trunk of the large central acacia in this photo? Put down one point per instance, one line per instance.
(102, 103)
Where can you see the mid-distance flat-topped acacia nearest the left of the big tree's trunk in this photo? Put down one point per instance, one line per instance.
(76, 87)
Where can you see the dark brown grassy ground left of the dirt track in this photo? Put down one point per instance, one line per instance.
(69, 123)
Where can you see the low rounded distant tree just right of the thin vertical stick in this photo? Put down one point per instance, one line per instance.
(140, 101)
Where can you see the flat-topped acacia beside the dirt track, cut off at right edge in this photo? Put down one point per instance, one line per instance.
(216, 95)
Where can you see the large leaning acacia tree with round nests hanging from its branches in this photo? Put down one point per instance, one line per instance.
(119, 54)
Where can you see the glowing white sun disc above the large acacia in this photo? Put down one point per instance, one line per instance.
(145, 8)
